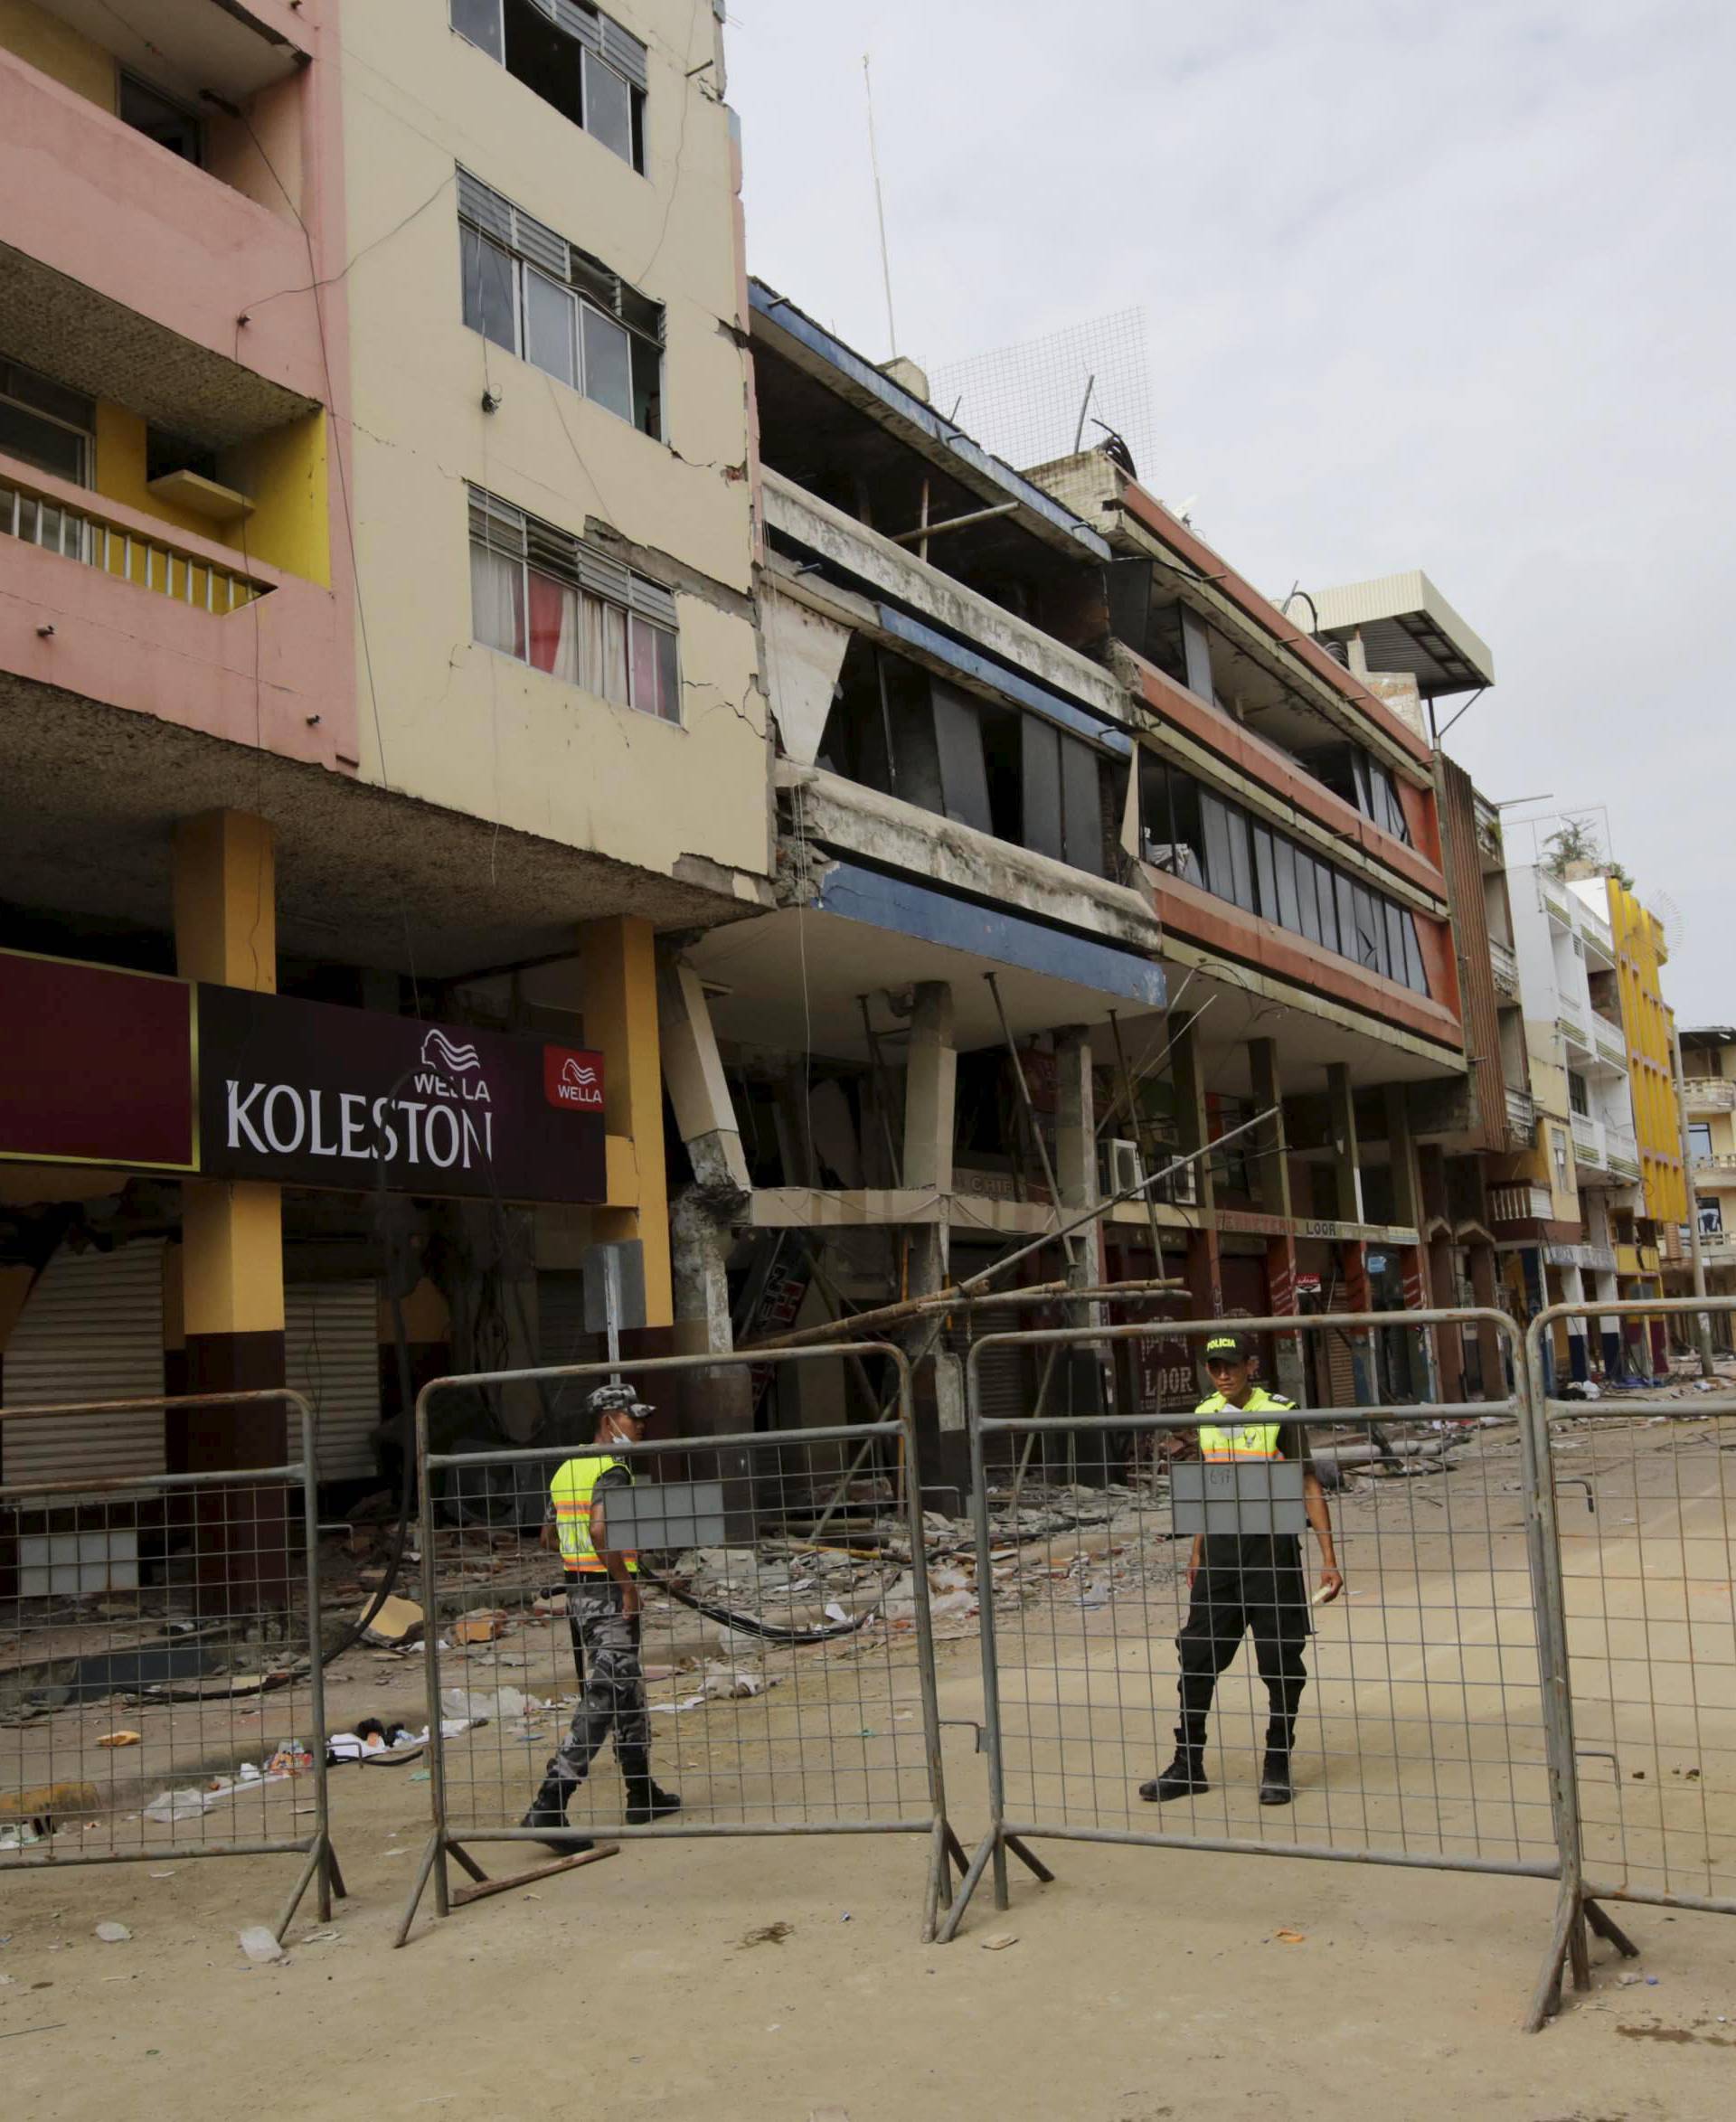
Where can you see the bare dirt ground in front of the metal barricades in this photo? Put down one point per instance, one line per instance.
(1143, 1985)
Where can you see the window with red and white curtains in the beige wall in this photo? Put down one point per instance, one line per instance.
(566, 608)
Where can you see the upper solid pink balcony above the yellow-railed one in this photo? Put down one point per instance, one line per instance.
(124, 273)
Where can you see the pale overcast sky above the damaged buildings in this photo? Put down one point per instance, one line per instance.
(1438, 288)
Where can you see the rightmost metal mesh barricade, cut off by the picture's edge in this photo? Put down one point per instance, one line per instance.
(1644, 1489)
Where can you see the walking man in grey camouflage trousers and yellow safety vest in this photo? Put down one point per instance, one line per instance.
(604, 1607)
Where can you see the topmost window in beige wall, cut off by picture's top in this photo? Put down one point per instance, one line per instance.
(574, 56)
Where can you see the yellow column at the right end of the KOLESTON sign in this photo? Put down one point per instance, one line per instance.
(621, 1015)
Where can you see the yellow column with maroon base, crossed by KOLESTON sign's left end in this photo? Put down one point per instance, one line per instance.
(232, 1232)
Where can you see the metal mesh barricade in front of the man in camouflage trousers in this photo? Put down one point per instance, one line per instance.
(784, 1641)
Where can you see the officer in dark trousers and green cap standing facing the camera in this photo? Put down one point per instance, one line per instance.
(1247, 1582)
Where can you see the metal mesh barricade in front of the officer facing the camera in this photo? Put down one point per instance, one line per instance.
(1427, 1724)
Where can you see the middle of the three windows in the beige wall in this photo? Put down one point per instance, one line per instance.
(538, 296)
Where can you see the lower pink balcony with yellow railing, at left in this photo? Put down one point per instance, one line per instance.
(120, 610)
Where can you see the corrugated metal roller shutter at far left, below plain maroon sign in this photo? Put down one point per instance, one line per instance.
(90, 1332)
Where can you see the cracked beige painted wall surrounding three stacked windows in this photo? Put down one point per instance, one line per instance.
(466, 727)
